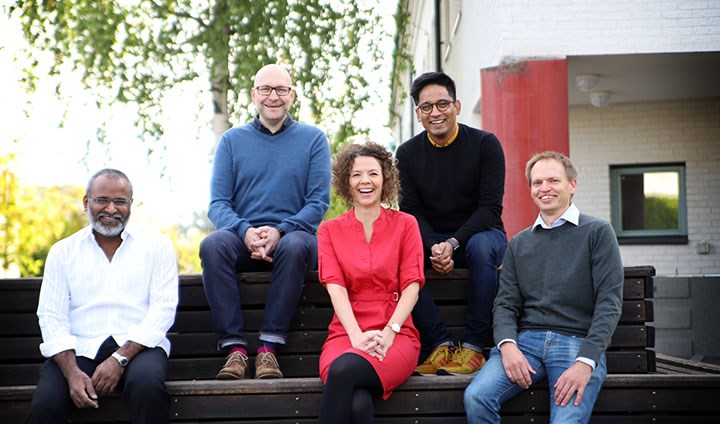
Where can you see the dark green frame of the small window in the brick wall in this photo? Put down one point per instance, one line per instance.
(674, 236)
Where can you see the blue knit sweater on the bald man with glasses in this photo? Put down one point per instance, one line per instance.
(263, 179)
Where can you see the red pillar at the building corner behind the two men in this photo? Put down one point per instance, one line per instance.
(526, 105)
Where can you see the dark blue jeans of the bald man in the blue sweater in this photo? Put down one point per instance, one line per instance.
(223, 254)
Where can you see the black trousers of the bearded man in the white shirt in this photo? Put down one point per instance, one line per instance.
(142, 386)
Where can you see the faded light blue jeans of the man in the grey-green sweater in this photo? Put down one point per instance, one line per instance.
(549, 354)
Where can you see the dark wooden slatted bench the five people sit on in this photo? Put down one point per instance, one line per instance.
(635, 389)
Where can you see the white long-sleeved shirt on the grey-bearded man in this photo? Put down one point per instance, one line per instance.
(84, 298)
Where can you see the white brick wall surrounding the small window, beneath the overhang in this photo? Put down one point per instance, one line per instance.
(682, 131)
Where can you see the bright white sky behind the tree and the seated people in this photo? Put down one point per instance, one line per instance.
(54, 139)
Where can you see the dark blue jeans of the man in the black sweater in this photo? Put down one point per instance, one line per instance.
(482, 255)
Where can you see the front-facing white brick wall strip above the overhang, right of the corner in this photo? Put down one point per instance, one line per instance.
(576, 27)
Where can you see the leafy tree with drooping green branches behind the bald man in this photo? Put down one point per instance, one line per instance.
(135, 51)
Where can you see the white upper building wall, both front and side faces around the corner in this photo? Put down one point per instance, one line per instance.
(495, 31)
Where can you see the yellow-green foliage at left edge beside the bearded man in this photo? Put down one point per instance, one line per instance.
(32, 219)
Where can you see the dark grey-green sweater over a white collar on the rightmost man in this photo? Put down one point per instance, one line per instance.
(567, 279)
